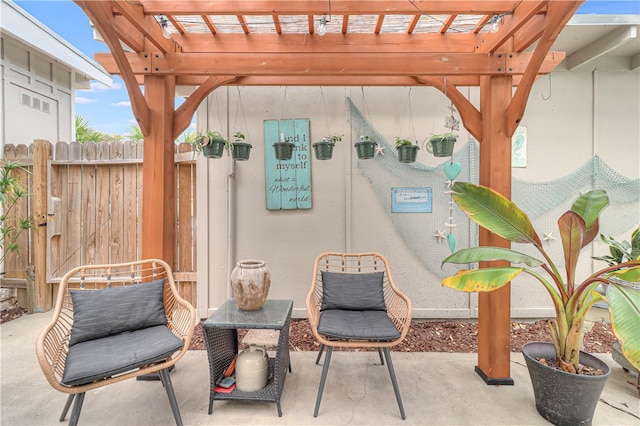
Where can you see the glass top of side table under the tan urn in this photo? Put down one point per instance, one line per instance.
(273, 314)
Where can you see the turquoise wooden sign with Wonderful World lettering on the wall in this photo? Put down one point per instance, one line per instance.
(288, 182)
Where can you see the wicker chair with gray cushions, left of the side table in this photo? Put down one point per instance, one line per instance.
(113, 323)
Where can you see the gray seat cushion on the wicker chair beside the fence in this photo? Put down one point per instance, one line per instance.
(101, 358)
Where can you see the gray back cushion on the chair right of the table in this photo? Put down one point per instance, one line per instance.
(355, 292)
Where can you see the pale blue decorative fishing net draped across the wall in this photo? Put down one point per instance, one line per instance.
(543, 202)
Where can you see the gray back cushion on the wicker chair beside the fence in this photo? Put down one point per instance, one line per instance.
(109, 311)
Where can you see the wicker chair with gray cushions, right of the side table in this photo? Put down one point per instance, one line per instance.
(353, 302)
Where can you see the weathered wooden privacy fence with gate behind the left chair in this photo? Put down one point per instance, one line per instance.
(86, 204)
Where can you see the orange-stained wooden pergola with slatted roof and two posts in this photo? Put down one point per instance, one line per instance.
(496, 45)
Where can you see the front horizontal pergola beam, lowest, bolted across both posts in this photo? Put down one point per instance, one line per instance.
(334, 64)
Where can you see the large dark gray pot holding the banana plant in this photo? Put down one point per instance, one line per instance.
(564, 398)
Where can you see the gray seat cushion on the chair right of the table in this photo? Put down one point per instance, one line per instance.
(361, 325)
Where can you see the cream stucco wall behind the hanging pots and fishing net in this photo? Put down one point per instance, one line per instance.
(569, 118)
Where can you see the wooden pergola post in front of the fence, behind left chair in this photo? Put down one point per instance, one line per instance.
(158, 170)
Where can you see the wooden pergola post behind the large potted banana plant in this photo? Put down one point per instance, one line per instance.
(494, 316)
